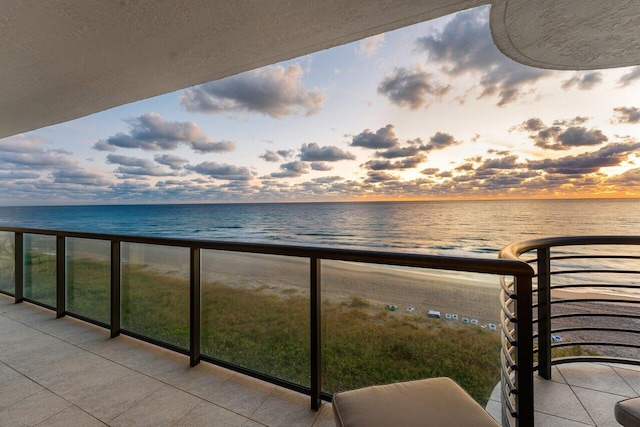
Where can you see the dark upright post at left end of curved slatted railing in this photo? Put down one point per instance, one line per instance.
(544, 312)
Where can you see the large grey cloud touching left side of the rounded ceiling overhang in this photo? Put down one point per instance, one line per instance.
(465, 46)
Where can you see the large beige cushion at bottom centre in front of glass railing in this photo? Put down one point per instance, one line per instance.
(431, 402)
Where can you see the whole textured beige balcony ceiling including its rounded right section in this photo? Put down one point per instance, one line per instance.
(69, 58)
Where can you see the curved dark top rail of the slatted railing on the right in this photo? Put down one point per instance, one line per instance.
(514, 250)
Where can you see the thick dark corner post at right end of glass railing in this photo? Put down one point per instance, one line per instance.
(524, 356)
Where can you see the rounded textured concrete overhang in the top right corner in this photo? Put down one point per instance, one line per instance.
(568, 34)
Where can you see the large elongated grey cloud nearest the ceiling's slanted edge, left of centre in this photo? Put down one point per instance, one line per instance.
(273, 91)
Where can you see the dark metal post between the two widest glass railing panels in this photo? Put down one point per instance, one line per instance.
(316, 335)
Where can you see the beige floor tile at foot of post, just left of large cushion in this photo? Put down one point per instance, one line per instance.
(283, 408)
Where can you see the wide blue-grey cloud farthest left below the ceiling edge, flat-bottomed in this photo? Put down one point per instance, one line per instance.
(151, 132)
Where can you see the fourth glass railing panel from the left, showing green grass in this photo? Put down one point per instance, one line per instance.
(155, 292)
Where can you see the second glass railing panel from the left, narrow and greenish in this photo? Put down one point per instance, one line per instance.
(40, 268)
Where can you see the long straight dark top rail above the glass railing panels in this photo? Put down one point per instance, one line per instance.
(473, 265)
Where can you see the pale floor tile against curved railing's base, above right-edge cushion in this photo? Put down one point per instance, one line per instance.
(595, 377)
